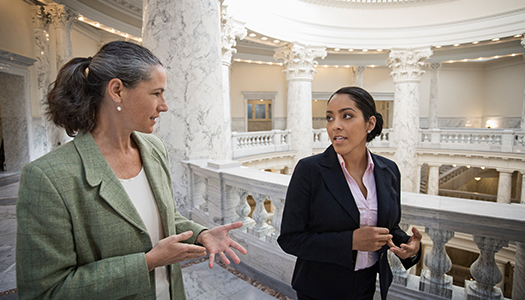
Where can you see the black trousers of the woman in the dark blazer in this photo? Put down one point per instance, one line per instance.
(363, 286)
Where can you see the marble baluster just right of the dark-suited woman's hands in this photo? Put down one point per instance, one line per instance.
(434, 280)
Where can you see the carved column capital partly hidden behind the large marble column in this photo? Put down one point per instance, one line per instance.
(230, 30)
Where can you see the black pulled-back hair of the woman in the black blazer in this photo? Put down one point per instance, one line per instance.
(366, 104)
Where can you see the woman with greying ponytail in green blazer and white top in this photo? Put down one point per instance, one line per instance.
(96, 216)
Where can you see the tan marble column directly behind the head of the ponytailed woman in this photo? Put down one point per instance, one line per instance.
(62, 18)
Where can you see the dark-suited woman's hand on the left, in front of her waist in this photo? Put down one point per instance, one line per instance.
(370, 238)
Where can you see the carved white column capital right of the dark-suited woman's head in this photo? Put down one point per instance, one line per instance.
(407, 64)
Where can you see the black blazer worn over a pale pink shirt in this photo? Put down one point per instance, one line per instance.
(320, 215)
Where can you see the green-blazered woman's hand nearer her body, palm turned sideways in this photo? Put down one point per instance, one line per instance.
(170, 250)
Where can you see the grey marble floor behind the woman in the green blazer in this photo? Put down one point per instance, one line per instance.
(220, 283)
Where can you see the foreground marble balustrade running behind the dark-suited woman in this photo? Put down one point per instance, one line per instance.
(219, 191)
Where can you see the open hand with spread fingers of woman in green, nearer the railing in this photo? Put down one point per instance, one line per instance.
(217, 241)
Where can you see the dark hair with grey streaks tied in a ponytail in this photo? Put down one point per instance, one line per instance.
(80, 85)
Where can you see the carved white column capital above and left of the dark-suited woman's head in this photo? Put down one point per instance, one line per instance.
(299, 60)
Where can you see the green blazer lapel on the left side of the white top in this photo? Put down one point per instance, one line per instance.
(99, 173)
